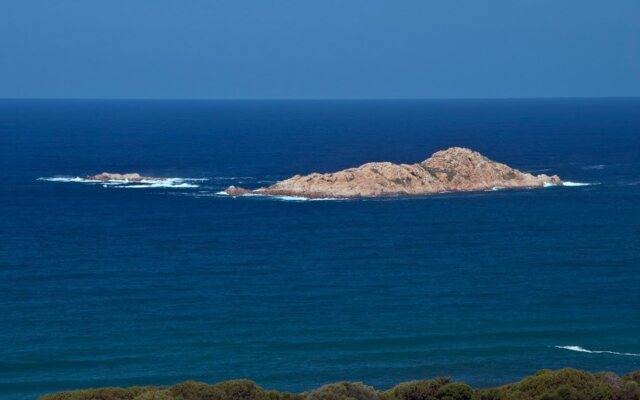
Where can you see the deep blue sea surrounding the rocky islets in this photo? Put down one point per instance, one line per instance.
(121, 286)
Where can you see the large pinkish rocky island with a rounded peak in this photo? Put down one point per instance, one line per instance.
(456, 169)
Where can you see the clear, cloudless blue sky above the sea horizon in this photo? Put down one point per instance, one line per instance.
(319, 49)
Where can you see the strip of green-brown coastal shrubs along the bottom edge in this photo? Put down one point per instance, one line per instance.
(564, 384)
